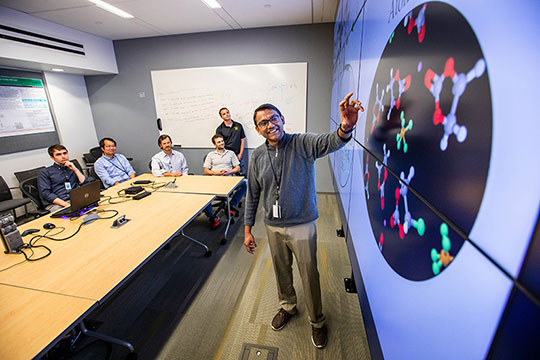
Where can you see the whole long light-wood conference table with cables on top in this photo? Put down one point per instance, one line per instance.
(86, 269)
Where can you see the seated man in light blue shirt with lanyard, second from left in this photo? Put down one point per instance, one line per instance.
(112, 168)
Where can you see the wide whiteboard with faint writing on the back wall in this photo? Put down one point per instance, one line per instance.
(188, 100)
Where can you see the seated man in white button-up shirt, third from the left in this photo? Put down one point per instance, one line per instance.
(168, 162)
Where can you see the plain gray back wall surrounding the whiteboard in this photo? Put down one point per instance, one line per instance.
(121, 113)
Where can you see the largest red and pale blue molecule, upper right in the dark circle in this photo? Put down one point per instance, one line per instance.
(434, 82)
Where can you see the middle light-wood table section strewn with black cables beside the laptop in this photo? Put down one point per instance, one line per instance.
(99, 258)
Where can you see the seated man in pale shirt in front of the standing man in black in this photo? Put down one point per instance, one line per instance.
(222, 162)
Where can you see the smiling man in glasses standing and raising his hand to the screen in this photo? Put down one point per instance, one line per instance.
(282, 172)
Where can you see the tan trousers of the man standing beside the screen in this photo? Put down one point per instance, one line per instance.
(300, 240)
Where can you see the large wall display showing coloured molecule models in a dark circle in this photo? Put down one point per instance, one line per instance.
(439, 190)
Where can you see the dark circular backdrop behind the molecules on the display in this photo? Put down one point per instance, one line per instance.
(452, 180)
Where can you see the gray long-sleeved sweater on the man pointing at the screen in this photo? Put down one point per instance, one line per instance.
(294, 159)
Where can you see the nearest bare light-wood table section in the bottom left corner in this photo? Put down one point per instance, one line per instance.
(31, 319)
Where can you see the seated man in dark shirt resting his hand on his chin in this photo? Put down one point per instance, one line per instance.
(56, 181)
